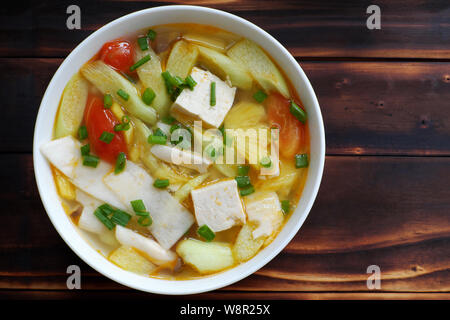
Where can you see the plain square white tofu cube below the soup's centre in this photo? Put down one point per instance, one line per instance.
(218, 205)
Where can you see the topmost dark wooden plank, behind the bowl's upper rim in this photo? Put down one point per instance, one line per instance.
(409, 29)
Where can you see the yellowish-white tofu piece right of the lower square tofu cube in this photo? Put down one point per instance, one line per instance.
(264, 209)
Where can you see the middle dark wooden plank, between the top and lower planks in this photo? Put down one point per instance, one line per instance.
(368, 108)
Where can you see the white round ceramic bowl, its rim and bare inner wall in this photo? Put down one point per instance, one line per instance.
(130, 23)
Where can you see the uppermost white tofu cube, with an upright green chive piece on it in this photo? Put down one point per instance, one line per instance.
(195, 104)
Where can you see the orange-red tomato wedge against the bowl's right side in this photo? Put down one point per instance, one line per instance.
(292, 131)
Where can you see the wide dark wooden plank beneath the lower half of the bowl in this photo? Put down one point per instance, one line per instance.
(388, 211)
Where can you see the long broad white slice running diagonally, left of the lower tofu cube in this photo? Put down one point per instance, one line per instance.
(170, 219)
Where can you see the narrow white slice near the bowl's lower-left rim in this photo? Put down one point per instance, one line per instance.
(152, 250)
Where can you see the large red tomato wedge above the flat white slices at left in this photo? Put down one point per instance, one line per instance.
(98, 120)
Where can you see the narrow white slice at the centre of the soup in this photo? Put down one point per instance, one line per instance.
(180, 157)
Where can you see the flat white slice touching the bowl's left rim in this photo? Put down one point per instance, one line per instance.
(65, 155)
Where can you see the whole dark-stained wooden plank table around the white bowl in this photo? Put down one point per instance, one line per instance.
(385, 194)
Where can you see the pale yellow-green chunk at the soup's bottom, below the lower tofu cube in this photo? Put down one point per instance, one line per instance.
(206, 257)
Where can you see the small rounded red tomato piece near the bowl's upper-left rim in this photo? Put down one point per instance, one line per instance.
(119, 54)
